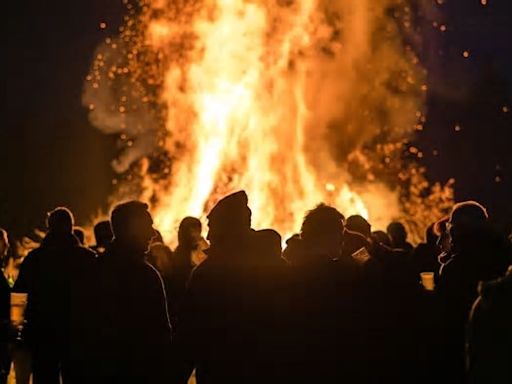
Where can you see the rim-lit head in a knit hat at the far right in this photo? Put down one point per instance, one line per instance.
(466, 218)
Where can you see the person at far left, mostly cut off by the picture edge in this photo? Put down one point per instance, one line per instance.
(5, 300)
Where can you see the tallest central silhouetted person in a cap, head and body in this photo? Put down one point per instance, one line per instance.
(221, 332)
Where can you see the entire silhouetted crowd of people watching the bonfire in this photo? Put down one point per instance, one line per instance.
(339, 304)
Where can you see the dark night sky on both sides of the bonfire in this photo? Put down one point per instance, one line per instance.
(51, 155)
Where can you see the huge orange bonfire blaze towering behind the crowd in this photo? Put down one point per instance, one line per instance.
(271, 96)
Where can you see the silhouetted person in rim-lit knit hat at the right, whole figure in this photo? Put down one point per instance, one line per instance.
(478, 254)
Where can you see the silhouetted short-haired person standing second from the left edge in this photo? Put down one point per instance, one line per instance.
(55, 277)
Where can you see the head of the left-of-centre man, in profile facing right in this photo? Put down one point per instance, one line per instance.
(132, 225)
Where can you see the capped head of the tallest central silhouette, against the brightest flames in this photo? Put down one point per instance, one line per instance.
(230, 217)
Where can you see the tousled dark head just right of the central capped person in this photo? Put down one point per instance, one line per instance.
(323, 226)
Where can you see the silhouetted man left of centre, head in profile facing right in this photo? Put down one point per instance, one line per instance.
(135, 337)
